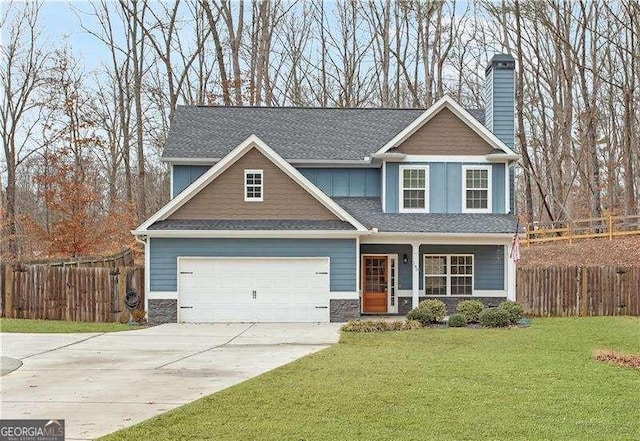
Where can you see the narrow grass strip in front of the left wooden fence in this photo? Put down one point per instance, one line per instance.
(58, 326)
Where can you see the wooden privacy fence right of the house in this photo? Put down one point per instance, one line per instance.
(579, 291)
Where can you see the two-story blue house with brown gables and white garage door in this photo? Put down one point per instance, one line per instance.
(318, 214)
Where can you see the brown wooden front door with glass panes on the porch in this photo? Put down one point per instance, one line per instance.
(375, 284)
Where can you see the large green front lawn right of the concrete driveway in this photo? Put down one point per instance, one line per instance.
(443, 384)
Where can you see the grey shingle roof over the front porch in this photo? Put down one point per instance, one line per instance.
(369, 212)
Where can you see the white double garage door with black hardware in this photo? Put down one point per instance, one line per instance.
(253, 289)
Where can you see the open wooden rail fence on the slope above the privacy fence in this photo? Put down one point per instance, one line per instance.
(569, 230)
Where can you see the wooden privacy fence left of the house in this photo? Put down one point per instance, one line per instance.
(91, 294)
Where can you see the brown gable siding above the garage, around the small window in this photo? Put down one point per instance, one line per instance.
(223, 198)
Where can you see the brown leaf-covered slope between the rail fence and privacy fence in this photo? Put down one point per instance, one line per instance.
(621, 251)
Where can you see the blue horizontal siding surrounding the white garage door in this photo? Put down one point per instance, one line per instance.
(164, 253)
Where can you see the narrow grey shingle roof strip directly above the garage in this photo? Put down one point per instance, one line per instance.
(177, 224)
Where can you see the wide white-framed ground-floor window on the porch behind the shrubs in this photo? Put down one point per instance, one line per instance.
(448, 275)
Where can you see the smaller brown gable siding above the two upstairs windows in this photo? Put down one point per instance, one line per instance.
(445, 134)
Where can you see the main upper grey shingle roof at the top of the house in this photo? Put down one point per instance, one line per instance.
(293, 132)
